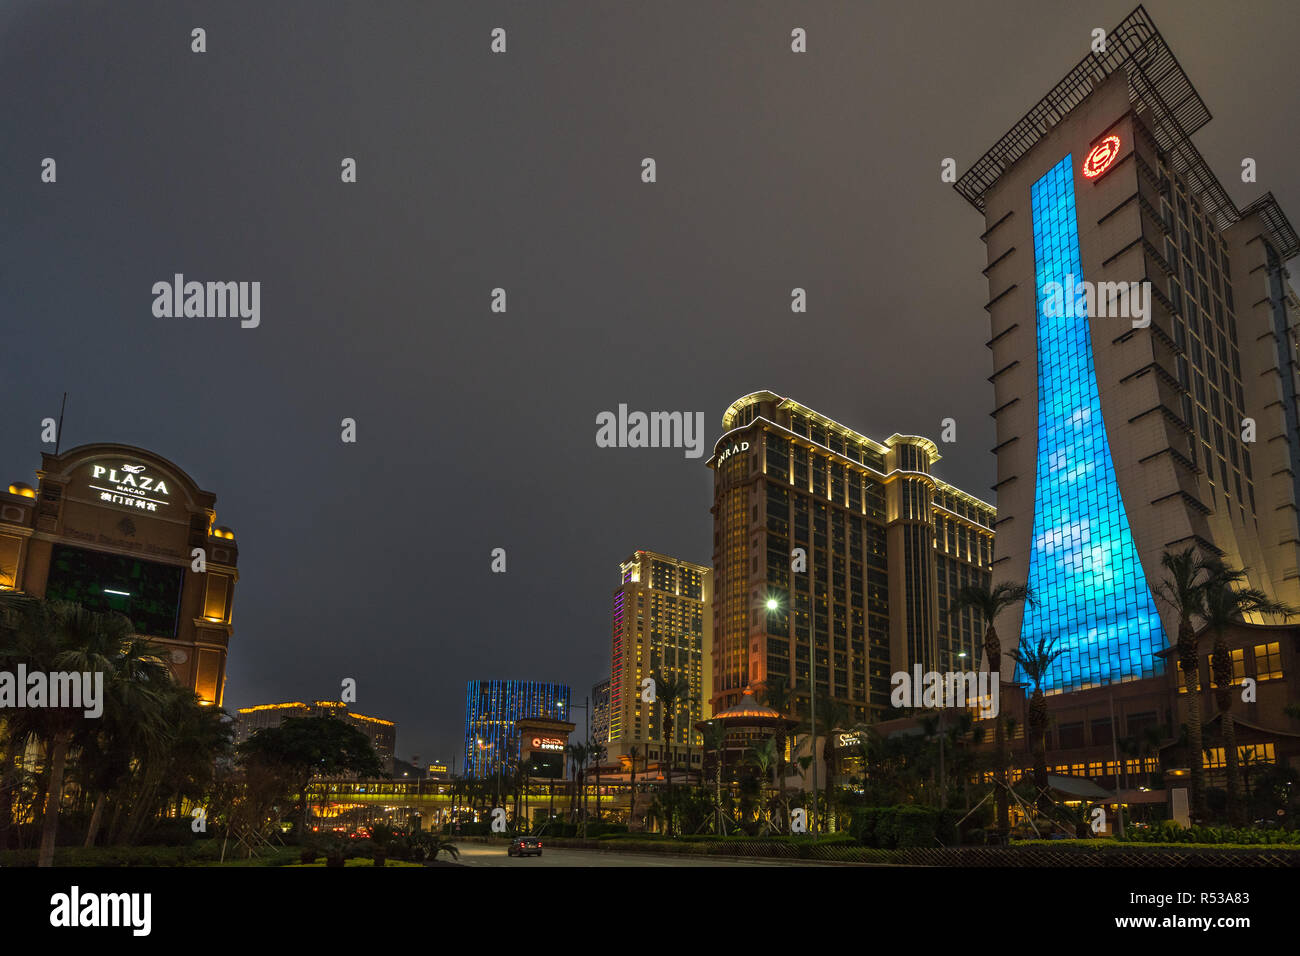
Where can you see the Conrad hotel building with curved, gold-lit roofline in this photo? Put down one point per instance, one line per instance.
(829, 540)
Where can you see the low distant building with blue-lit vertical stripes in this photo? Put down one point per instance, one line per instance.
(492, 710)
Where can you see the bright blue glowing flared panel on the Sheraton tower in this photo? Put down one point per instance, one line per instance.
(1089, 585)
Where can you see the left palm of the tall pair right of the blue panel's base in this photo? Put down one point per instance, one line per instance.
(1188, 576)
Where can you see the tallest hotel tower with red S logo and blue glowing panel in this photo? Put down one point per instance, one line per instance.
(1119, 440)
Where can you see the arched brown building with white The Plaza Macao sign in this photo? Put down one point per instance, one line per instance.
(119, 529)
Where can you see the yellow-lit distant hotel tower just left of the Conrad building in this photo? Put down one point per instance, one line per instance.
(662, 626)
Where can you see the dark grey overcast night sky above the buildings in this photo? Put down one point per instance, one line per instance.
(476, 431)
